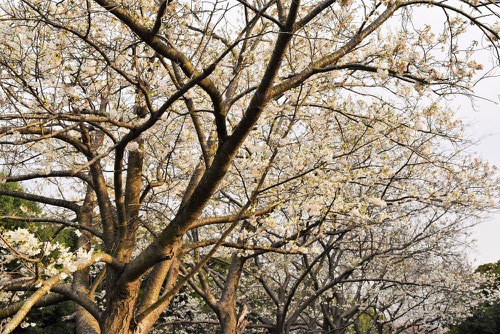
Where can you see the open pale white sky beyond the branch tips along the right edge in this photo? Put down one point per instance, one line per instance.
(484, 119)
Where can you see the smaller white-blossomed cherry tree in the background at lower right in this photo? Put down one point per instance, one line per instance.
(366, 249)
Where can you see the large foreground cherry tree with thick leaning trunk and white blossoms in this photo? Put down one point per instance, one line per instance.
(173, 136)
